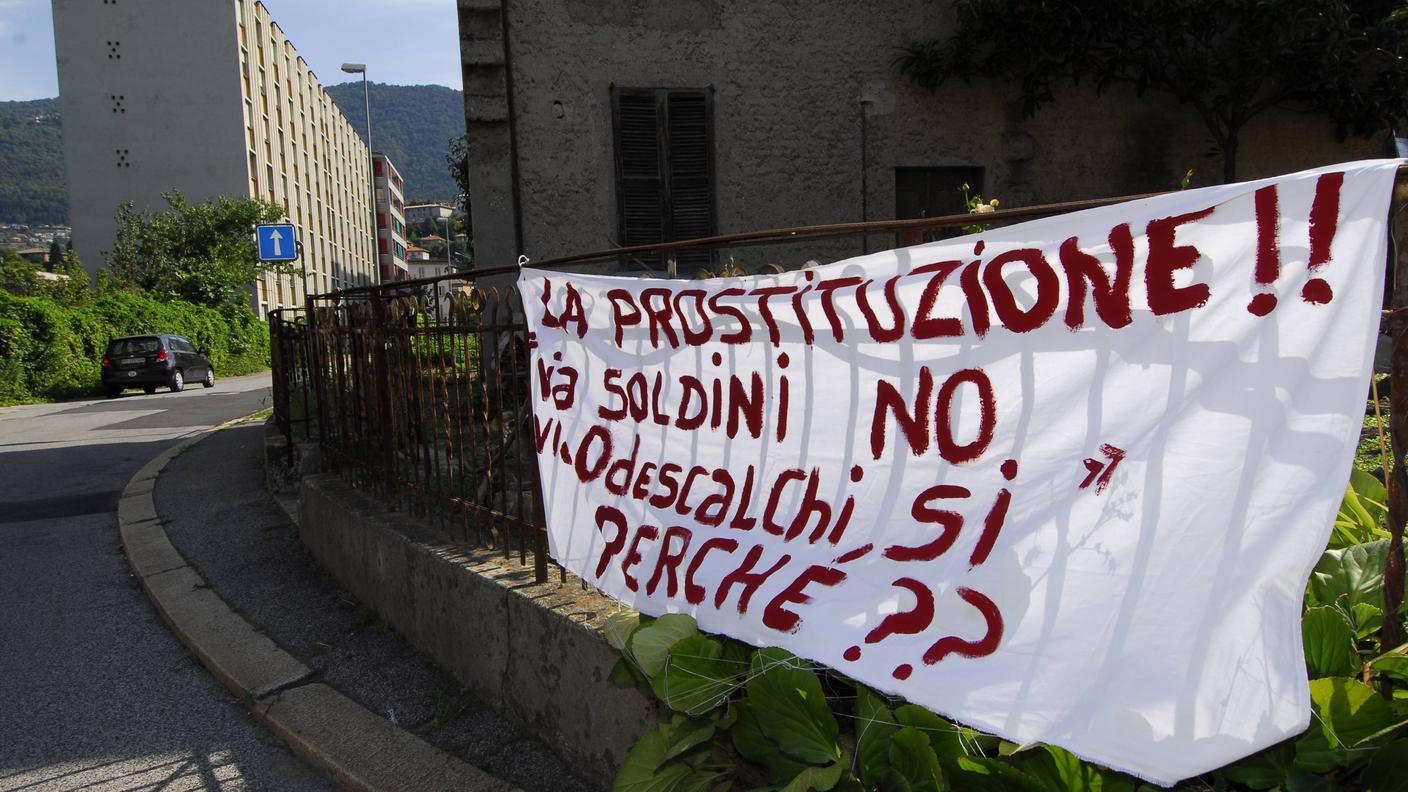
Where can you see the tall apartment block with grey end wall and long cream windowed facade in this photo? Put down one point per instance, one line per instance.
(210, 99)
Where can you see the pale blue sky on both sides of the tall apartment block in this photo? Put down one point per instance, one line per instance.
(401, 42)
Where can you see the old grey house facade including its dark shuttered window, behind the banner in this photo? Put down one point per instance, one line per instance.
(633, 122)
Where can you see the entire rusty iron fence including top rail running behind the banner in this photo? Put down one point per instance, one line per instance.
(419, 392)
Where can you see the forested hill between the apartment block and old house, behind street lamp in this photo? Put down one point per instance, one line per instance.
(413, 126)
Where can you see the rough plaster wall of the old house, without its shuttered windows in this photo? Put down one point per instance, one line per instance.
(789, 81)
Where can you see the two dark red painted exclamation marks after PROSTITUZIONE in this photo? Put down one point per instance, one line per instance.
(1324, 222)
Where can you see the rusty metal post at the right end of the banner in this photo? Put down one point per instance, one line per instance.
(1392, 635)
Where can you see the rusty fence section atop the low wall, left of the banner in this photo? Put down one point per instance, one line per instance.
(422, 398)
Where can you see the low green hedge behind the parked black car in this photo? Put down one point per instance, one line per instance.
(53, 352)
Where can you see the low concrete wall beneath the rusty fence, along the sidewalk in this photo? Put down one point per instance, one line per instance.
(534, 652)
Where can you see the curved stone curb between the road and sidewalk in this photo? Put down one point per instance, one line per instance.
(348, 743)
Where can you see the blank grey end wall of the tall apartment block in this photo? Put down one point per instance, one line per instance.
(133, 132)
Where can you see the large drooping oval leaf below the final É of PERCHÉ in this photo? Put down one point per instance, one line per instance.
(791, 708)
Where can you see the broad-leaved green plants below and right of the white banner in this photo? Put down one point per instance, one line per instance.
(764, 719)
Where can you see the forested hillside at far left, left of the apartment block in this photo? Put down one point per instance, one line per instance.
(32, 164)
